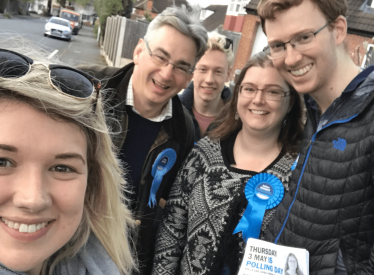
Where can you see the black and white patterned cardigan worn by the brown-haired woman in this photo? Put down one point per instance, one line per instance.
(199, 207)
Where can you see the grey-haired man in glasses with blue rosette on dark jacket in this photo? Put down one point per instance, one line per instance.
(156, 132)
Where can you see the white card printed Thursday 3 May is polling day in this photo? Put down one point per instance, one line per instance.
(267, 258)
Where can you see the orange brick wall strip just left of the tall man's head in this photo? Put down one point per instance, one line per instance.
(249, 31)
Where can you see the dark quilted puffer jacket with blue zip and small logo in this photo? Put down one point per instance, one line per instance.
(330, 205)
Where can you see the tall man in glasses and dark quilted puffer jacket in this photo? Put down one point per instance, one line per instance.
(329, 209)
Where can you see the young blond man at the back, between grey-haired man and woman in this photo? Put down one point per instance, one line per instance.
(207, 93)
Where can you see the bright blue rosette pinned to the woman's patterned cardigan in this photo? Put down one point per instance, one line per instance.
(263, 192)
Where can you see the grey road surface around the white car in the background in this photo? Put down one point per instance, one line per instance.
(82, 49)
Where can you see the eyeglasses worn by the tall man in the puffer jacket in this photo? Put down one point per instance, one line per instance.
(301, 42)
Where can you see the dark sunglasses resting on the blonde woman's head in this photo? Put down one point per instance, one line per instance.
(67, 80)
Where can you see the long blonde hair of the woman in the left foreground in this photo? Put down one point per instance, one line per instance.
(105, 213)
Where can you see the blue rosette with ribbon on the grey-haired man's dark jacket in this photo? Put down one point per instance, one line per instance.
(163, 163)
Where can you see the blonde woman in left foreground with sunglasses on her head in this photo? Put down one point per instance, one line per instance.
(61, 204)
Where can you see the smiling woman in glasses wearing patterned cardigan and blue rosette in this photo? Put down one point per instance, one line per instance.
(231, 182)
